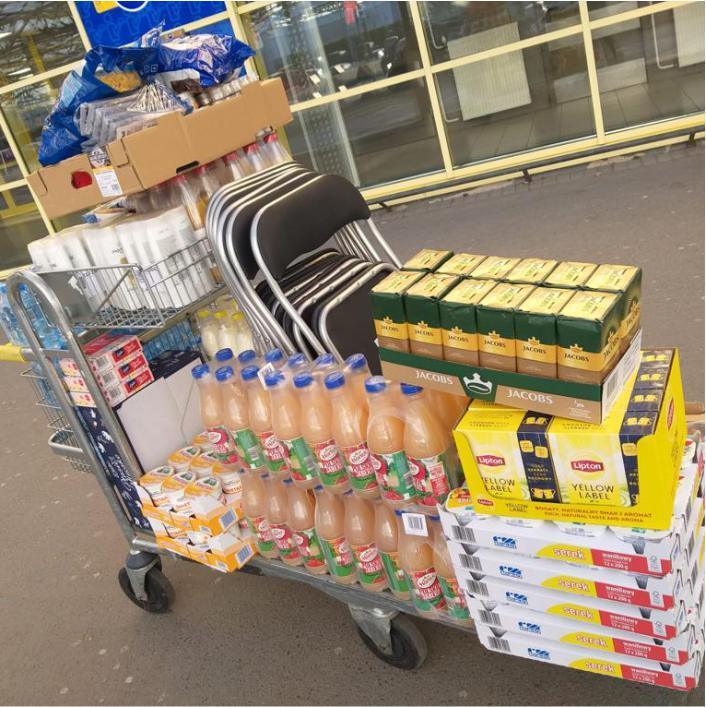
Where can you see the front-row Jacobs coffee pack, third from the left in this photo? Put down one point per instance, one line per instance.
(457, 310)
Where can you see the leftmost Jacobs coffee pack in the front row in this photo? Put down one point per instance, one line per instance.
(388, 309)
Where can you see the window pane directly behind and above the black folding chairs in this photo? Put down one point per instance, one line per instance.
(370, 139)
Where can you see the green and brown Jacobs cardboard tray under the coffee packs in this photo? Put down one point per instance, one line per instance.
(590, 402)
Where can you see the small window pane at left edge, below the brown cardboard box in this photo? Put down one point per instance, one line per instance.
(20, 223)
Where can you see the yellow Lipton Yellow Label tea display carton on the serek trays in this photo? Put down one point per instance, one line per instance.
(606, 476)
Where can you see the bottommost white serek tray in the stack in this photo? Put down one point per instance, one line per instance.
(682, 677)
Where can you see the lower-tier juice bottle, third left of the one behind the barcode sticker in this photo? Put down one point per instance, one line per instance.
(329, 524)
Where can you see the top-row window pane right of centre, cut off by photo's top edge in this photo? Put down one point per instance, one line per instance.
(456, 29)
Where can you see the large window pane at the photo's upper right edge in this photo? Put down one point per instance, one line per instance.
(651, 68)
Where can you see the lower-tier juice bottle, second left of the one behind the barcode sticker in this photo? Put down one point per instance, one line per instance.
(359, 530)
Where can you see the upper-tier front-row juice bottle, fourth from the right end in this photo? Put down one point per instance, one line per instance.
(315, 425)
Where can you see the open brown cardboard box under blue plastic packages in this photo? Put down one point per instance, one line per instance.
(174, 143)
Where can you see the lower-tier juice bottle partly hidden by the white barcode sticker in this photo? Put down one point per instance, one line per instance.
(417, 561)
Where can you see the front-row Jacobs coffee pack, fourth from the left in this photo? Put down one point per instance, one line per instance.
(496, 325)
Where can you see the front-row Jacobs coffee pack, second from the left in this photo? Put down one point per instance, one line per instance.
(421, 303)
